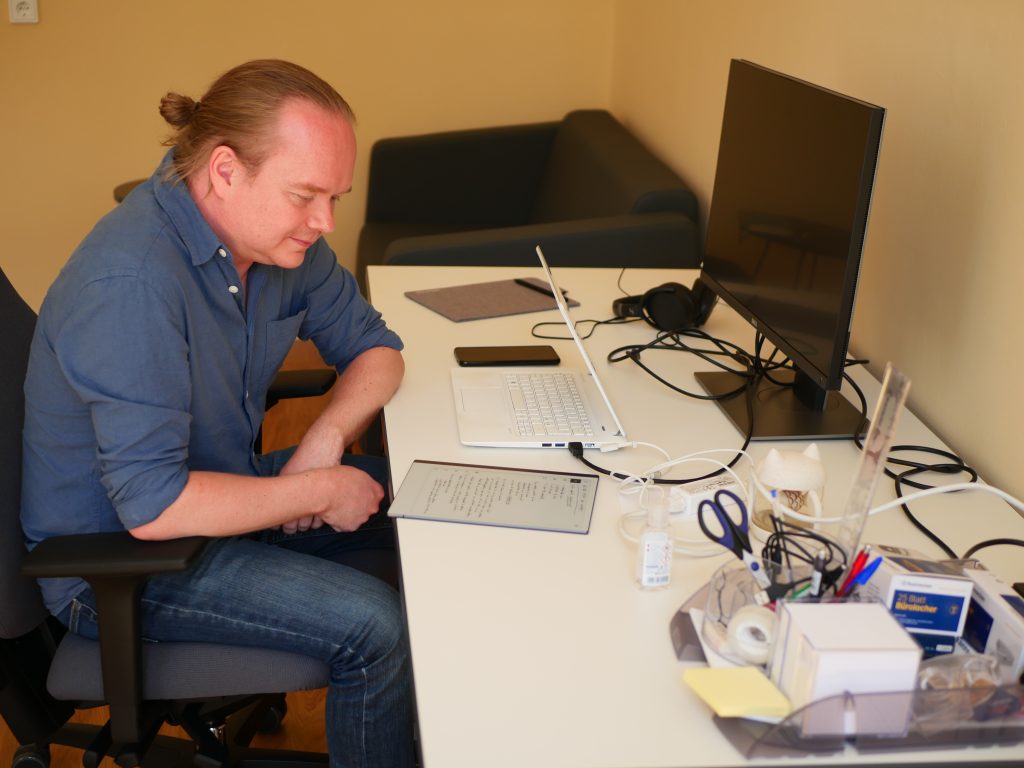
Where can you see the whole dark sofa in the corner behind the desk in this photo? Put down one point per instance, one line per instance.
(584, 188)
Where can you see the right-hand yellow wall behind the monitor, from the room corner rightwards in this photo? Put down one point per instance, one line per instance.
(944, 268)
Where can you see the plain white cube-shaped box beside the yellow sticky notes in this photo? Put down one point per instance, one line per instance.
(826, 650)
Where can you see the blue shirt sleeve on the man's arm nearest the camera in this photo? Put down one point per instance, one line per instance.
(126, 357)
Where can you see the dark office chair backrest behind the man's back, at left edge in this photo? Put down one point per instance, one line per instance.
(21, 605)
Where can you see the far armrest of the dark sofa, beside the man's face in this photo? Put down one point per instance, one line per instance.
(480, 179)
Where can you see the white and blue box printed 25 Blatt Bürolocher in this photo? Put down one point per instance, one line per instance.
(929, 599)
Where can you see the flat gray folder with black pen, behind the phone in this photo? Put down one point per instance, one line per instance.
(481, 301)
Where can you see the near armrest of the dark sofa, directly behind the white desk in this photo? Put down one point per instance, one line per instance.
(648, 240)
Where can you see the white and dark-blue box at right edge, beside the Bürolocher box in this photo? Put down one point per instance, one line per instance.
(996, 624)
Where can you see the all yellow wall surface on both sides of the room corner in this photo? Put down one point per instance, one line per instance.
(943, 267)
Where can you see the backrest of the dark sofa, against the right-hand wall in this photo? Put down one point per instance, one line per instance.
(598, 168)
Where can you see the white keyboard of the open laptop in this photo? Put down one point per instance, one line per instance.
(547, 404)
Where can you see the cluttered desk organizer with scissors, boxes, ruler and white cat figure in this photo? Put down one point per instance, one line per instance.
(887, 649)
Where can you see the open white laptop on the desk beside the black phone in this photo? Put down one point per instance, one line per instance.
(520, 407)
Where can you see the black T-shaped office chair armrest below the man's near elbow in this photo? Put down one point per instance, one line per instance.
(116, 566)
